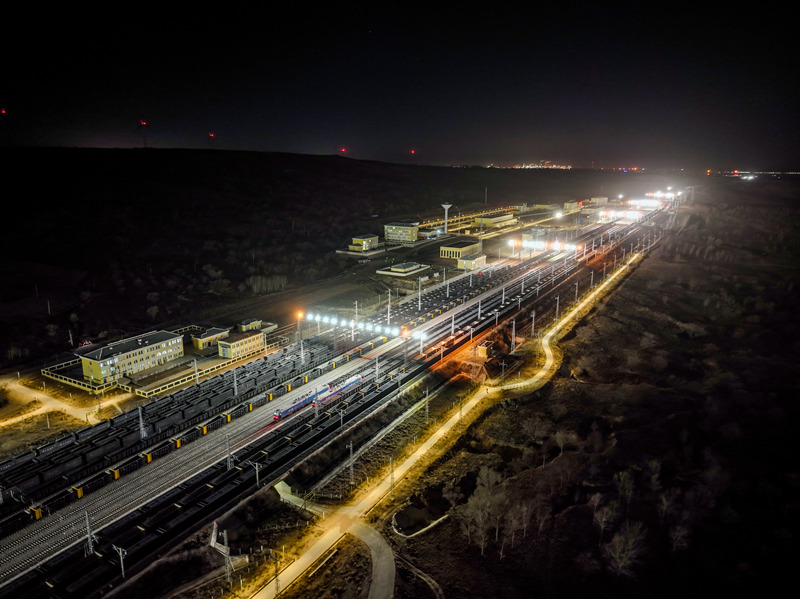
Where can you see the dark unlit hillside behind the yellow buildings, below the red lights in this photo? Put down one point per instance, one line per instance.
(120, 240)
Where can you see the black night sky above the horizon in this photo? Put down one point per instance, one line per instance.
(673, 87)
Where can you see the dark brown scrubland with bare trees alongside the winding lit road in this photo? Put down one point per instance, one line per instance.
(658, 464)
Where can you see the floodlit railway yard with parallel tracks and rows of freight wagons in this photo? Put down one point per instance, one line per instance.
(136, 484)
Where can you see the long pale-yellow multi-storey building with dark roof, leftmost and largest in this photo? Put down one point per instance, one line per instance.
(129, 356)
